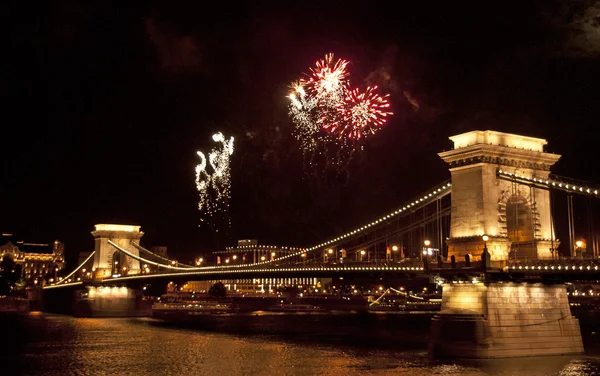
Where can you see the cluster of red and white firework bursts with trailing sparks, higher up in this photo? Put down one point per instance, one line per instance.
(330, 117)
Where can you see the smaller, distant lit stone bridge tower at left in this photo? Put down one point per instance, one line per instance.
(107, 260)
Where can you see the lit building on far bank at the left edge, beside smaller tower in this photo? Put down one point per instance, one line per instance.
(37, 260)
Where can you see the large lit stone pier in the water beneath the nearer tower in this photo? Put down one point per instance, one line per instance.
(498, 320)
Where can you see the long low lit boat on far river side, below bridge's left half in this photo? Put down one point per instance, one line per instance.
(191, 308)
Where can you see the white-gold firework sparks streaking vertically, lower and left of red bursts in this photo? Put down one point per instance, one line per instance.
(214, 188)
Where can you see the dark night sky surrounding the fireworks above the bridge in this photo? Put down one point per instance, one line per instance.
(107, 104)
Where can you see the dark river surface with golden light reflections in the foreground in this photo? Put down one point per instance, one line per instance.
(254, 344)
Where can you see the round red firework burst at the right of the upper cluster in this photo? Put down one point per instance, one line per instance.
(360, 114)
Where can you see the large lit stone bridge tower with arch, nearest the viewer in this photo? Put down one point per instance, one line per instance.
(517, 218)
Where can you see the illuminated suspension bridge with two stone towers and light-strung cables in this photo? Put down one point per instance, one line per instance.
(493, 224)
